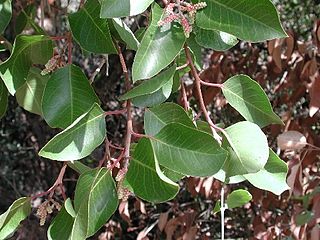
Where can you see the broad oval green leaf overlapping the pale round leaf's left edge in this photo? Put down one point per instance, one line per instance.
(188, 151)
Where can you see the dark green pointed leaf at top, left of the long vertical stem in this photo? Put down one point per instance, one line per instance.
(90, 31)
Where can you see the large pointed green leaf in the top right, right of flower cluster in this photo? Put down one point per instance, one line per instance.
(248, 20)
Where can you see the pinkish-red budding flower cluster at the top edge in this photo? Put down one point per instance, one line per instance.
(182, 12)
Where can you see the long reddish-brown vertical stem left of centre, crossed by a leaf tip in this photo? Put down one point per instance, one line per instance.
(129, 113)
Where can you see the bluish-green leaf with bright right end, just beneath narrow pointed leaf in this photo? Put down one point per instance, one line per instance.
(155, 98)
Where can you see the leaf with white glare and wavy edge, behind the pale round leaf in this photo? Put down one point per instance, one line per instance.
(275, 171)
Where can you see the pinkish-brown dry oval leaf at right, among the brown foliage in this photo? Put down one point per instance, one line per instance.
(291, 140)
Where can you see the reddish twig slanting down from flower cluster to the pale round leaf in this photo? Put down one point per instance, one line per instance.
(198, 87)
